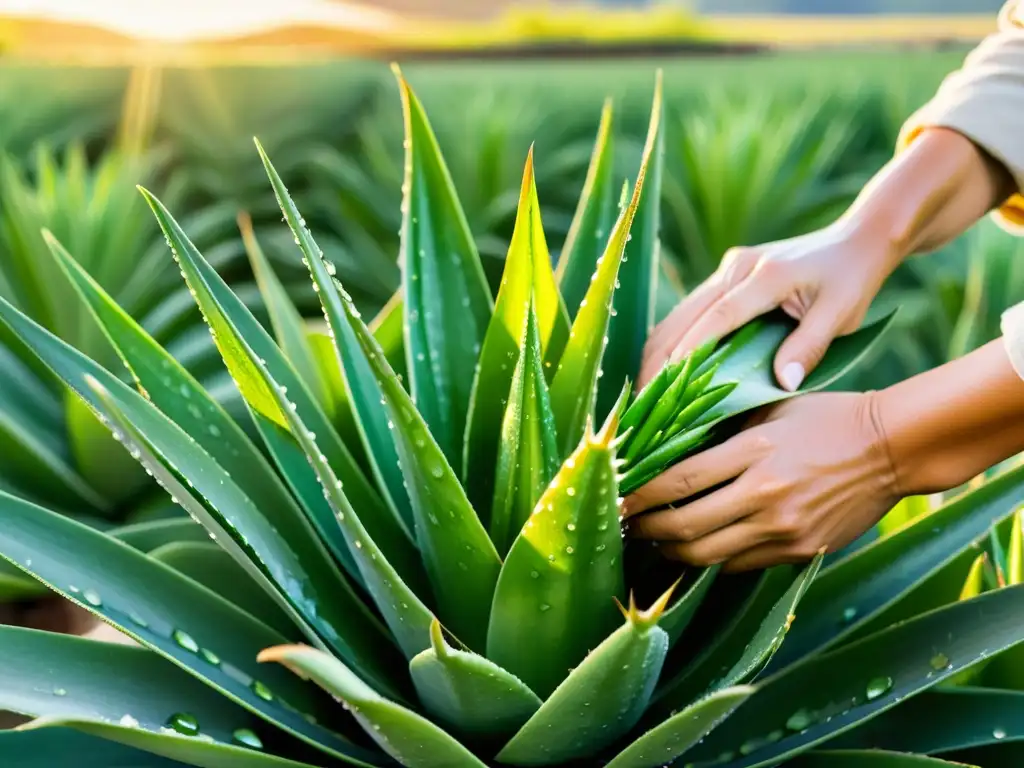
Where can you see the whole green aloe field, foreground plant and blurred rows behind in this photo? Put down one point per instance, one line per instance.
(333, 429)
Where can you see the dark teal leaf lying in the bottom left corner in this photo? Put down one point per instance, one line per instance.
(45, 748)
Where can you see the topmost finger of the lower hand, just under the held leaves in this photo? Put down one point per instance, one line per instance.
(707, 470)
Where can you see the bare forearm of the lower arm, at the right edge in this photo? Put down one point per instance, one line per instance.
(950, 424)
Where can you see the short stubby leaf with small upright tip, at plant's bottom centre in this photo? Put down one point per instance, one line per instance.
(470, 694)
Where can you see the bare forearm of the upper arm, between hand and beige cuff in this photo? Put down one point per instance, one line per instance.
(927, 196)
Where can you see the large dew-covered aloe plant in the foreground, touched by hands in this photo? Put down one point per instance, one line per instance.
(444, 556)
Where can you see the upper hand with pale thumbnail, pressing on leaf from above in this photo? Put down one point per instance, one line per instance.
(826, 280)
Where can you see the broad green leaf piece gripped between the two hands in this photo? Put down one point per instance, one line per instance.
(746, 359)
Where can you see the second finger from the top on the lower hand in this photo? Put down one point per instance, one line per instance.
(697, 520)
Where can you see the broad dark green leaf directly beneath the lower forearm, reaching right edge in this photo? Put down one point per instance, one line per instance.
(858, 593)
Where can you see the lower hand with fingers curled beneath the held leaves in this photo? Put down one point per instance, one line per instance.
(813, 473)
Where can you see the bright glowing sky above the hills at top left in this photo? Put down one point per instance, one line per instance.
(191, 20)
